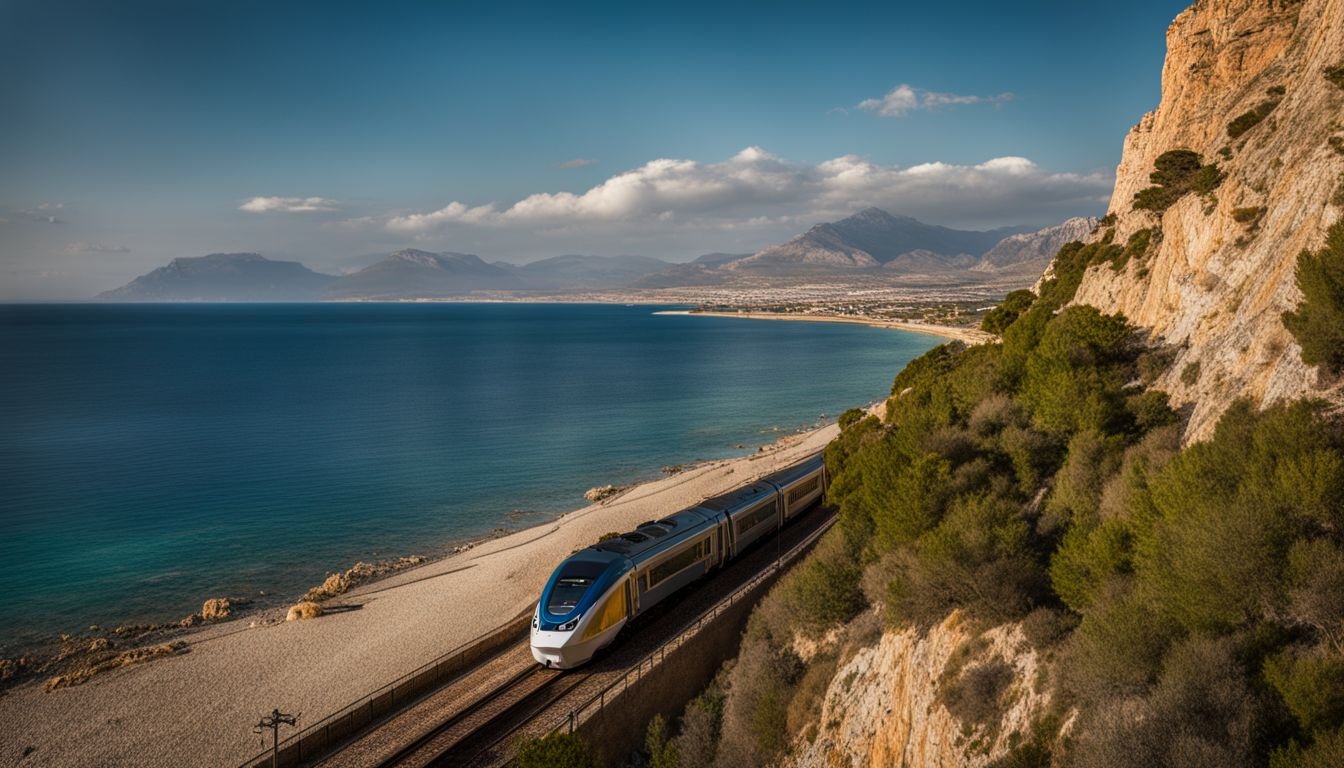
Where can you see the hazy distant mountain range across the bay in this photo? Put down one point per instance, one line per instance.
(872, 243)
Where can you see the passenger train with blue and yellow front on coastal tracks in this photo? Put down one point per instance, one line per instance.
(595, 592)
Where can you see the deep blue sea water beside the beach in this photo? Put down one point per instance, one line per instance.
(153, 457)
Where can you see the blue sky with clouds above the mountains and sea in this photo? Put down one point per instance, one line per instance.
(333, 134)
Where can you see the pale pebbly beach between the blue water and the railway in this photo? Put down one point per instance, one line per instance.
(198, 708)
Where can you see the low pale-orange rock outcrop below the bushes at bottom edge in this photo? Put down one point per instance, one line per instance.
(882, 707)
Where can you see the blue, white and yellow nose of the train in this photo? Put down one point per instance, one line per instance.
(584, 606)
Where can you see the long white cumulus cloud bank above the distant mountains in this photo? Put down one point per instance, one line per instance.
(756, 186)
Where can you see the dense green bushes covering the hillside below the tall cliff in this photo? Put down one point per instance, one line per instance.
(1194, 599)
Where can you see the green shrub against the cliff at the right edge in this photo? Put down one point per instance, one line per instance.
(1319, 321)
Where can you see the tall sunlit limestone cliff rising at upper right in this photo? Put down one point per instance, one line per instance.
(1217, 287)
